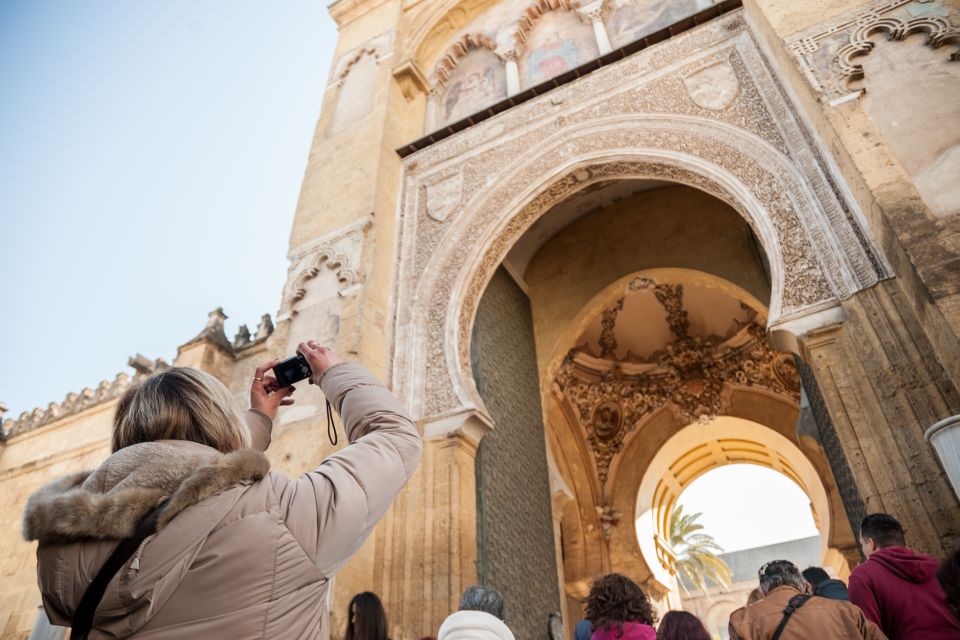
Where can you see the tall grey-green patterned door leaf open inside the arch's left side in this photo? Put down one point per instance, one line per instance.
(515, 545)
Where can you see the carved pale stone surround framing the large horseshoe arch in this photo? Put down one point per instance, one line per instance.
(632, 119)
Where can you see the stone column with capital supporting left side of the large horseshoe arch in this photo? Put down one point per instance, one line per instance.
(427, 545)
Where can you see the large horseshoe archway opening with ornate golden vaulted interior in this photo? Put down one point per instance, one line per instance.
(647, 306)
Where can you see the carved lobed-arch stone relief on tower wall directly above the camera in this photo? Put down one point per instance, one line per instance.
(340, 251)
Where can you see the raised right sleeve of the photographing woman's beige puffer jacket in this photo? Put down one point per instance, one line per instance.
(332, 509)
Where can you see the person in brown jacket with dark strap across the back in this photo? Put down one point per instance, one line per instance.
(787, 613)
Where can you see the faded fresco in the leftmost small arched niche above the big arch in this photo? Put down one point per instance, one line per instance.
(478, 81)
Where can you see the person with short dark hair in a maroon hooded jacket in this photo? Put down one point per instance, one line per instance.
(897, 588)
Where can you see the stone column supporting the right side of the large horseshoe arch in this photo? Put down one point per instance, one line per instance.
(882, 387)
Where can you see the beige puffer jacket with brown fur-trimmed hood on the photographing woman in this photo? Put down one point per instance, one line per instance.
(242, 552)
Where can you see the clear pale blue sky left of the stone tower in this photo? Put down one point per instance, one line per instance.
(151, 155)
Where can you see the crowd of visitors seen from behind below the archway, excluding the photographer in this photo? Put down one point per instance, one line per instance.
(896, 593)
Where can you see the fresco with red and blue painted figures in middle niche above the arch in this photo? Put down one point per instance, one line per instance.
(558, 43)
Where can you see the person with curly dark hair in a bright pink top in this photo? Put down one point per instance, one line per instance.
(618, 608)
